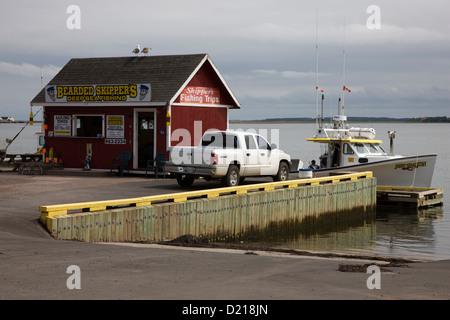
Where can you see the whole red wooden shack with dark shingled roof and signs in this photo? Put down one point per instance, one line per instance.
(141, 104)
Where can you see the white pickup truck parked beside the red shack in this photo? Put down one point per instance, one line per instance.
(230, 156)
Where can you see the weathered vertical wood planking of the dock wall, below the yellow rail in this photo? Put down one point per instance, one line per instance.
(219, 218)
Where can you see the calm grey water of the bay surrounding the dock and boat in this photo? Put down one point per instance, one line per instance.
(421, 234)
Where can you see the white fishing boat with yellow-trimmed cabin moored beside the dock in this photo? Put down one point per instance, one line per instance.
(345, 148)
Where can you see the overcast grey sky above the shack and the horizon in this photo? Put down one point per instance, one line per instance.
(265, 50)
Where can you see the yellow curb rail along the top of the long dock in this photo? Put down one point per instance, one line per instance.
(50, 211)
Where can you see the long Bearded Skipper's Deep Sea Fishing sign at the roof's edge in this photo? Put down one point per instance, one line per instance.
(99, 93)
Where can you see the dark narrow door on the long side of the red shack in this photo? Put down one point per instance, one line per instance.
(146, 145)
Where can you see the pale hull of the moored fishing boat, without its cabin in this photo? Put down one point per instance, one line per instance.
(408, 171)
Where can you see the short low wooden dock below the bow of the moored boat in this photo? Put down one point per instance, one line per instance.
(409, 197)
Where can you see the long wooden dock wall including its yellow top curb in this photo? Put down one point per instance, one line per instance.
(220, 213)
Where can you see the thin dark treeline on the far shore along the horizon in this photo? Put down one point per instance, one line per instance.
(355, 119)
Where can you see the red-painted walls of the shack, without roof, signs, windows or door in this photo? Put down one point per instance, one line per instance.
(188, 123)
